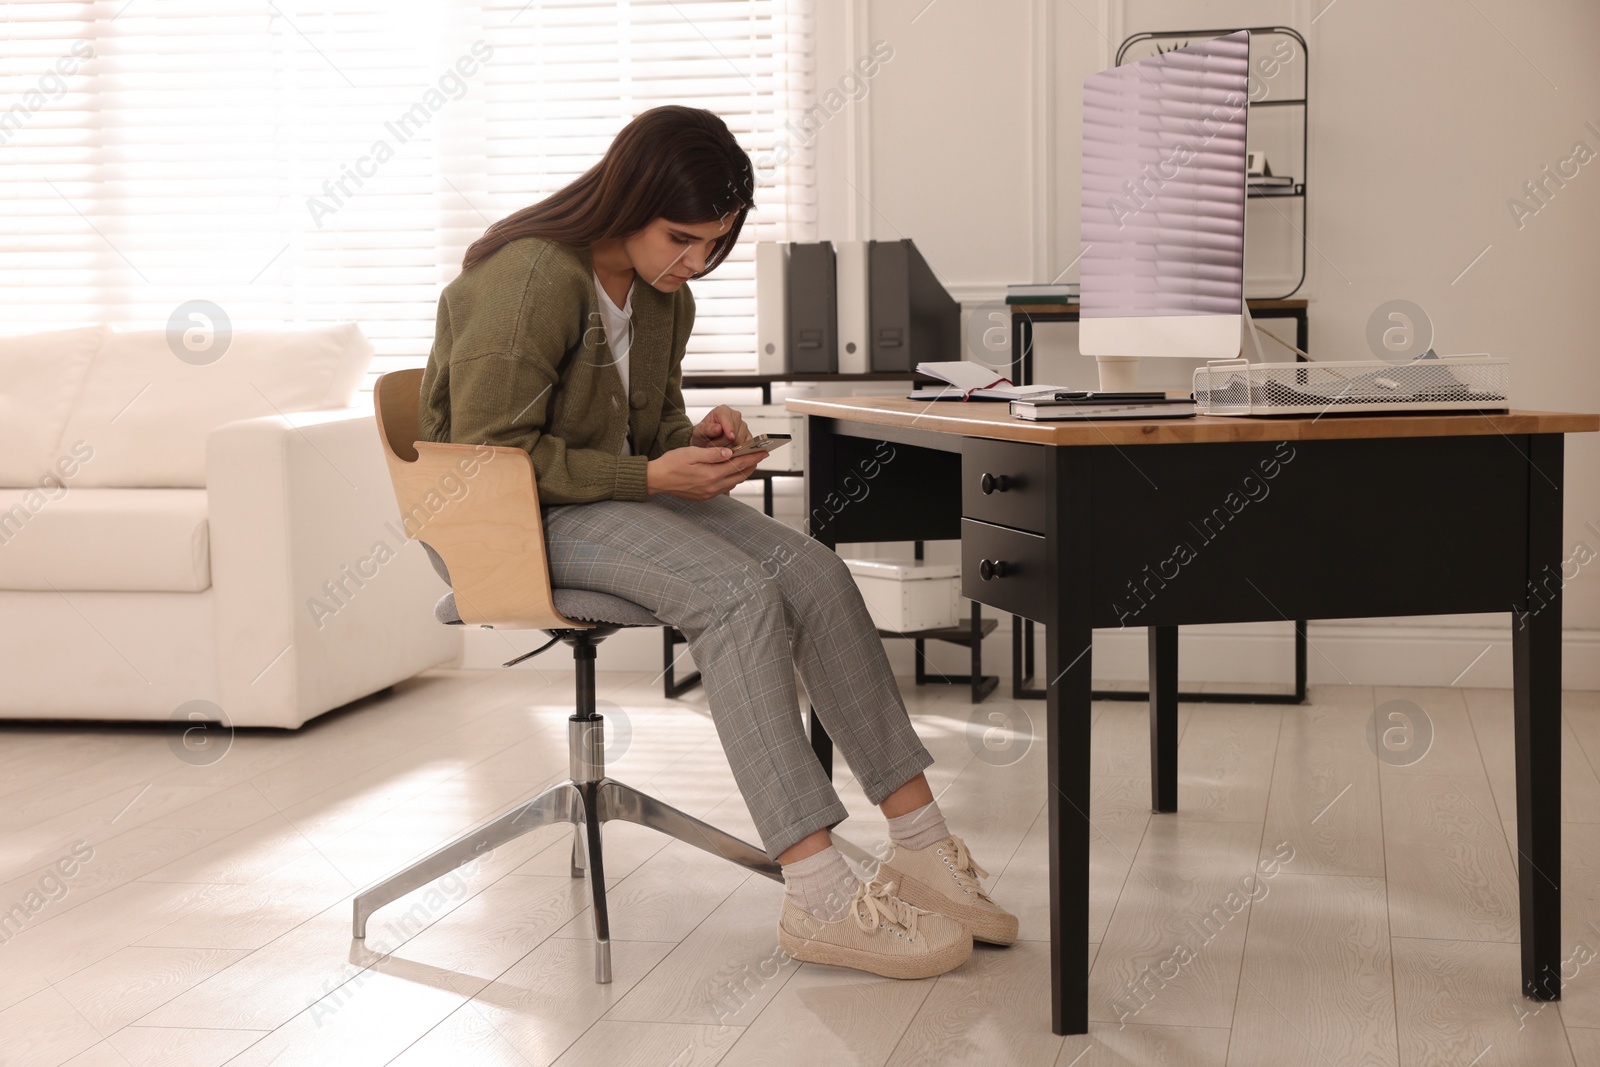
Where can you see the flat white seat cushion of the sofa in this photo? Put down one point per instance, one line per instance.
(105, 540)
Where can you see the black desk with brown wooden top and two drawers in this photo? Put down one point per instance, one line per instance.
(1166, 524)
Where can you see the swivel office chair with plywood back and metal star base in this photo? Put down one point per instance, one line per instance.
(478, 513)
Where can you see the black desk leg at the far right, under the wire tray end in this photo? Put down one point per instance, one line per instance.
(1537, 665)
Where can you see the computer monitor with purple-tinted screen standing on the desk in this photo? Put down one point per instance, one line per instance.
(1162, 214)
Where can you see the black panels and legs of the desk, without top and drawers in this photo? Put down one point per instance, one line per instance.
(1489, 513)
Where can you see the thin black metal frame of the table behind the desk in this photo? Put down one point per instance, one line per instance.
(1023, 321)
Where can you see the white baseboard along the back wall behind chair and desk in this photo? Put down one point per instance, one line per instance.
(1254, 653)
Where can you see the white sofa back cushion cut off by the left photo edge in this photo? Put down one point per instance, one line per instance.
(41, 377)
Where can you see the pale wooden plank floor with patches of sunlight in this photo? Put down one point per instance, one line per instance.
(1310, 905)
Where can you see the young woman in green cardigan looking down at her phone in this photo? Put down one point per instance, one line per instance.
(566, 337)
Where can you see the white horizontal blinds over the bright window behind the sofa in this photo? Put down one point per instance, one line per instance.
(305, 164)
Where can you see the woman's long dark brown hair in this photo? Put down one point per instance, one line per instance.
(673, 162)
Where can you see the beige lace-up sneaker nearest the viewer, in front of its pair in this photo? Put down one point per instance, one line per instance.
(881, 935)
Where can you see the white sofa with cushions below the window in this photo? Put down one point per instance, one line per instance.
(220, 533)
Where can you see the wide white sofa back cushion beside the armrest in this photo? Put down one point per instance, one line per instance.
(146, 414)
